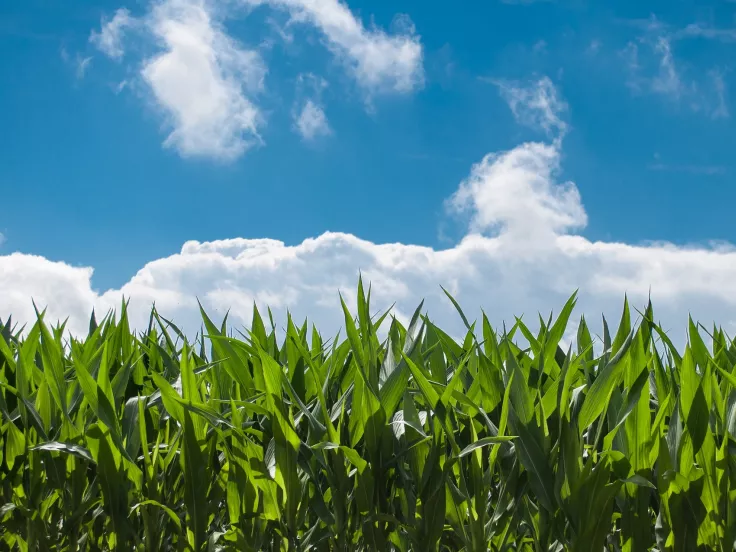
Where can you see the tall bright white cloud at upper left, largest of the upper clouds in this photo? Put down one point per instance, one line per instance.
(200, 81)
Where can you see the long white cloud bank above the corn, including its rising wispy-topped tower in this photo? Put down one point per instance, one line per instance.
(520, 256)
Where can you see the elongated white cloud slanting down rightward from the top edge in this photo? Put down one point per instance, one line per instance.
(380, 62)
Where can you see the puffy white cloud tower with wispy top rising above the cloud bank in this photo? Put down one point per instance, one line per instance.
(515, 192)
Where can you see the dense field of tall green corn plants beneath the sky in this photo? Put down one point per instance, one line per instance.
(412, 441)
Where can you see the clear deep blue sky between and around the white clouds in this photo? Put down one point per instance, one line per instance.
(84, 177)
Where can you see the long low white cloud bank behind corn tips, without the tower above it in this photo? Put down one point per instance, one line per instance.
(305, 278)
